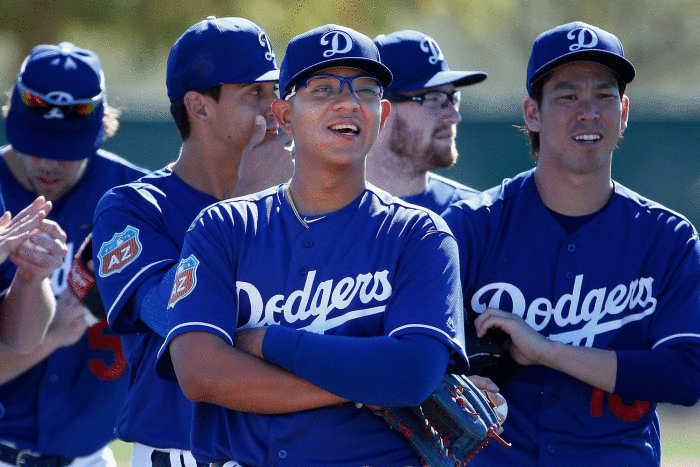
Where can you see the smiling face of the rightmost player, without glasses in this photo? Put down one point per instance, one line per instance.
(580, 119)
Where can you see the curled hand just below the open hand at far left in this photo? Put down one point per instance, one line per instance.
(42, 253)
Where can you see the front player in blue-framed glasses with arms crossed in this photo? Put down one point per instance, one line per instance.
(290, 302)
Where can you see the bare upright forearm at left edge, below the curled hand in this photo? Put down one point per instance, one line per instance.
(25, 313)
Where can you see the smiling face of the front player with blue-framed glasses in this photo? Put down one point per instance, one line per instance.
(328, 129)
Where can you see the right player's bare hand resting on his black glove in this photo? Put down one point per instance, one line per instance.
(527, 346)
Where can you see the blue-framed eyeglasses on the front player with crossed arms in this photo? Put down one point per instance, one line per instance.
(367, 88)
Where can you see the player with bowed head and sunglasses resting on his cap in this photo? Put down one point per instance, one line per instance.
(62, 410)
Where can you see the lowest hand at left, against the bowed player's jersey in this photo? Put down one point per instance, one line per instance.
(69, 323)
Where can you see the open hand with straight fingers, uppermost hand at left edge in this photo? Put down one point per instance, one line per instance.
(15, 231)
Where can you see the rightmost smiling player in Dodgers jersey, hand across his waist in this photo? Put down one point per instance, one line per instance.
(597, 287)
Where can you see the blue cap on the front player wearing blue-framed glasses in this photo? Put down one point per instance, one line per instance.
(330, 46)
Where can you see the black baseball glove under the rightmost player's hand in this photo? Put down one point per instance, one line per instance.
(489, 355)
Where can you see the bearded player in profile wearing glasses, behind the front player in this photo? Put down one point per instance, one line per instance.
(419, 135)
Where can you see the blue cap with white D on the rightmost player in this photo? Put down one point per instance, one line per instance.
(573, 42)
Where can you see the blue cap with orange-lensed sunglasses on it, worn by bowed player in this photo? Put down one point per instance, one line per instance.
(57, 104)
